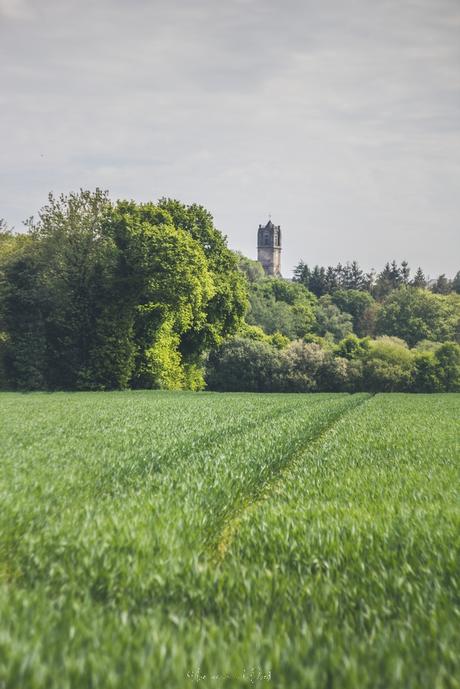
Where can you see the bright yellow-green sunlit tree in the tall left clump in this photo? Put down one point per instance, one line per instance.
(165, 275)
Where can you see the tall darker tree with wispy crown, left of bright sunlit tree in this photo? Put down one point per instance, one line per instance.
(87, 327)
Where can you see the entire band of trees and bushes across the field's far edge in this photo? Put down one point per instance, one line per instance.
(106, 295)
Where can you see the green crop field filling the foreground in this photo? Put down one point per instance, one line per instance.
(173, 540)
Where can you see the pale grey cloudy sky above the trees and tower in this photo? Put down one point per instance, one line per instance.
(339, 118)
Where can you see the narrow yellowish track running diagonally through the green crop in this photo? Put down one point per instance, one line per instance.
(220, 546)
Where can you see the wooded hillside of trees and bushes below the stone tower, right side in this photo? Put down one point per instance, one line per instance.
(356, 336)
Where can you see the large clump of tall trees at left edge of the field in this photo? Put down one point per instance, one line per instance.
(102, 296)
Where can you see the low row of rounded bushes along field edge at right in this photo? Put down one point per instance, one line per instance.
(353, 365)
